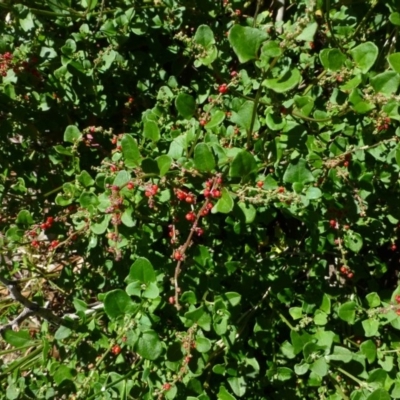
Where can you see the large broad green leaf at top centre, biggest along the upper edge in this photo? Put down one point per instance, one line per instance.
(246, 41)
